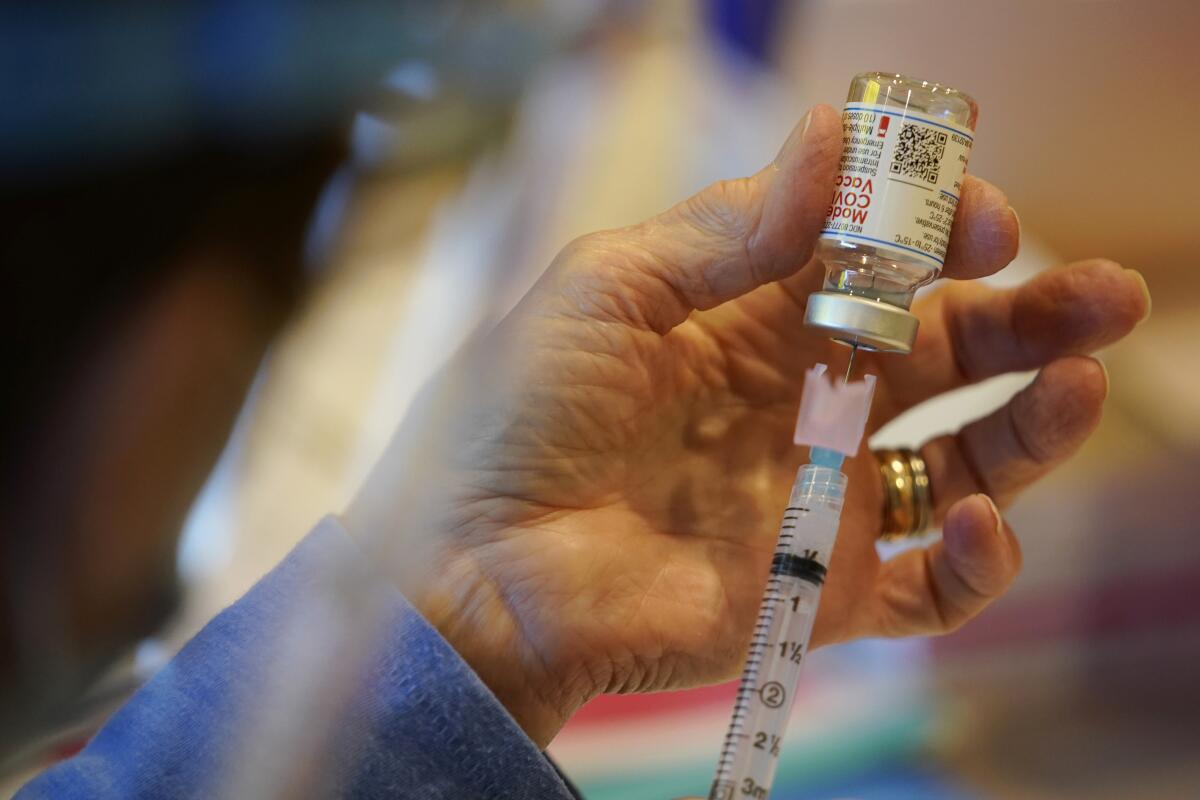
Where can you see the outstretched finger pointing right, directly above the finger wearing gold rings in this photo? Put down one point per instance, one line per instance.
(970, 332)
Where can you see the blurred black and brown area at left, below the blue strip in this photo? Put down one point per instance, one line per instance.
(202, 225)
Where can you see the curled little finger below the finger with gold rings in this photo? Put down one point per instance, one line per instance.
(938, 590)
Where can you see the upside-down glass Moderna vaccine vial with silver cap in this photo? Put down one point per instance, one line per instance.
(905, 153)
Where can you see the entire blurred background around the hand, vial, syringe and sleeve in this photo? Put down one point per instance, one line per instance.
(189, 188)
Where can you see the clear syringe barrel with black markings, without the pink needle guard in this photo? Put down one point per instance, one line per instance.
(781, 639)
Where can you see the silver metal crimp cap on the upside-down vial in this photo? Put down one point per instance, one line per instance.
(862, 322)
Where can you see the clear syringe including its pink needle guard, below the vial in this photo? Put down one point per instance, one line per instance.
(832, 420)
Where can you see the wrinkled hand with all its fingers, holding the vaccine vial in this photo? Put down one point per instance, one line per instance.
(621, 490)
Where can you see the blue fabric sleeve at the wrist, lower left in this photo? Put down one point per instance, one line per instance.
(406, 719)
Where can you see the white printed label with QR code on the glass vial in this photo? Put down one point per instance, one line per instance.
(899, 182)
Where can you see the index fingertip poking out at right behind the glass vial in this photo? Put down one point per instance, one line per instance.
(986, 236)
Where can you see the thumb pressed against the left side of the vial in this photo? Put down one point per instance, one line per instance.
(729, 239)
